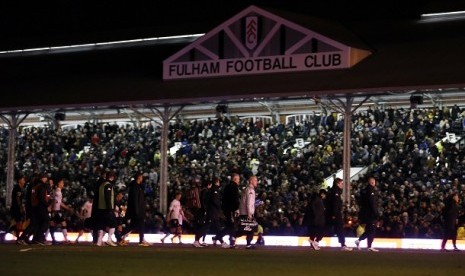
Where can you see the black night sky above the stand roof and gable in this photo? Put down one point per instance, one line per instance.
(50, 22)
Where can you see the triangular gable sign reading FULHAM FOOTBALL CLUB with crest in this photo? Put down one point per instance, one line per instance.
(256, 42)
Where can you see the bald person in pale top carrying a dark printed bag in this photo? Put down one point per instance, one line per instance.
(247, 207)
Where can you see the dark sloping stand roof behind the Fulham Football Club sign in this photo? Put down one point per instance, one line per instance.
(407, 55)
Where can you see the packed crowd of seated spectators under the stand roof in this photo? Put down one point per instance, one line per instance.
(402, 148)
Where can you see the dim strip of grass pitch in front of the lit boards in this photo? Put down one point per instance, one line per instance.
(186, 260)
